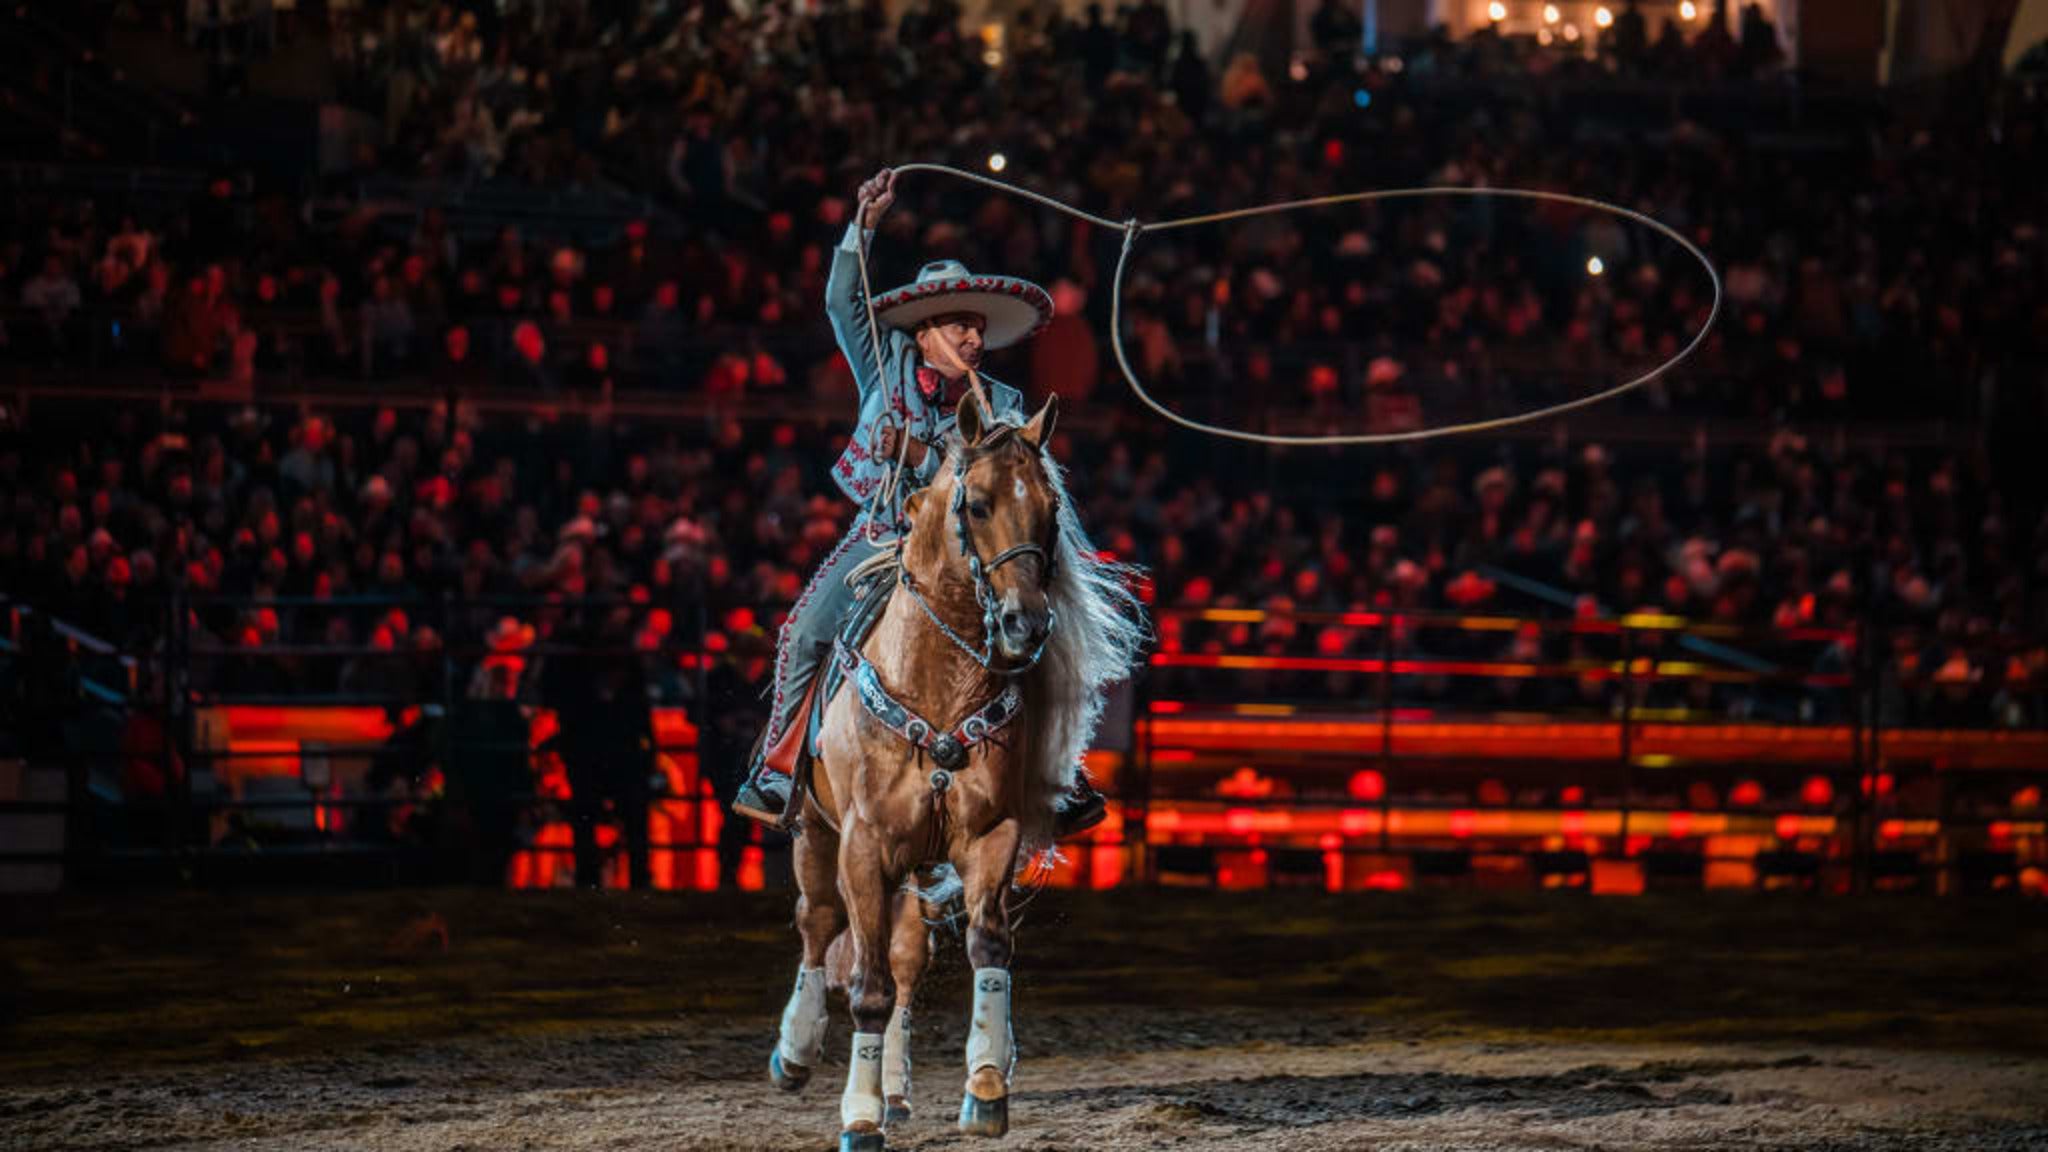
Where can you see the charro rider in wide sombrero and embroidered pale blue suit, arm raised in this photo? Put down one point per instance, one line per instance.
(933, 331)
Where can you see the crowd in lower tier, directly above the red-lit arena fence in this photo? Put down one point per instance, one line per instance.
(361, 530)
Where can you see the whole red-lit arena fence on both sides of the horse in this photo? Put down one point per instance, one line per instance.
(1345, 751)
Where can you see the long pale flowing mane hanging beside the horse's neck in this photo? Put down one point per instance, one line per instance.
(1097, 641)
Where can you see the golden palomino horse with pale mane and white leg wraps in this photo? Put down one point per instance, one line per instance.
(972, 702)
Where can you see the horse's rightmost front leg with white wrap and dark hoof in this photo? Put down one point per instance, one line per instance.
(988, 868)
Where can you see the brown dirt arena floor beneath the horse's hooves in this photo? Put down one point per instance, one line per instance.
(1146, 1020)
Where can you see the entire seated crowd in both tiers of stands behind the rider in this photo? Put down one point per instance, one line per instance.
(1891, 274)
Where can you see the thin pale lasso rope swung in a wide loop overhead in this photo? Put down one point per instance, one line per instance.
(1134, 229)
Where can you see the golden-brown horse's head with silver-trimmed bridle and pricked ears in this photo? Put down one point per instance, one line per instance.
(994, 507)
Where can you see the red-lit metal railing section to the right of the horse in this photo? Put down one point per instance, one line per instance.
(1652, 745)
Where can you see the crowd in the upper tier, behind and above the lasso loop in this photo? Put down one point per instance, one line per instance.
(1885, 265)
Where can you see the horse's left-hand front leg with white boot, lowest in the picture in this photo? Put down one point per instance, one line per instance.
(869, 897)
